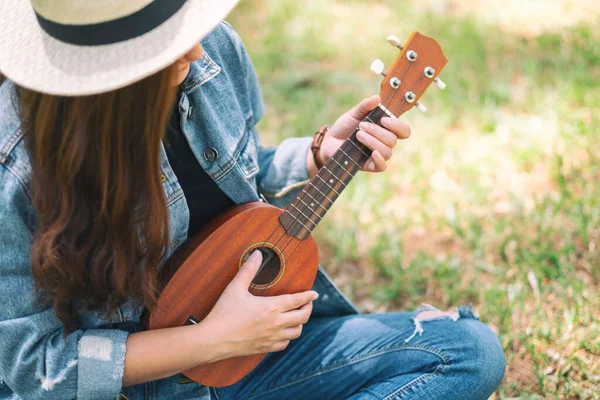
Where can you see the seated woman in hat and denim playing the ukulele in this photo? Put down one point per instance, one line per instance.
(120, 136)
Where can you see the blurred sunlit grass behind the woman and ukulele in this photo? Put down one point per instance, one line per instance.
(494, 200)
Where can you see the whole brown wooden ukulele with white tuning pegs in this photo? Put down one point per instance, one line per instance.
(207, 262)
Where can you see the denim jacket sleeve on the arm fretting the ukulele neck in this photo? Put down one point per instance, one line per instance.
(282, 169)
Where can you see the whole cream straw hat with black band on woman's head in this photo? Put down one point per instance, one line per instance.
(83, 47)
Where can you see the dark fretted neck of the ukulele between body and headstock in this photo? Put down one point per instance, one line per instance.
(304, 213)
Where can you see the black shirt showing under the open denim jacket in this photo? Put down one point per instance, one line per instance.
(204, 198)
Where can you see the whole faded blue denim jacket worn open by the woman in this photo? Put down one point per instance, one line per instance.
(220, 104)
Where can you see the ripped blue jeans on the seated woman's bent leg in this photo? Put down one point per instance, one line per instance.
(381, 356)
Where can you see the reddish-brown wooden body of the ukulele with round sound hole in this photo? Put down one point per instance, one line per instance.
(211, 259)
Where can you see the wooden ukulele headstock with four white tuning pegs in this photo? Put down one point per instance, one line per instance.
(416, 67)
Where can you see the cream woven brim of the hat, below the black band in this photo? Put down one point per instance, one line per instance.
(33, 59)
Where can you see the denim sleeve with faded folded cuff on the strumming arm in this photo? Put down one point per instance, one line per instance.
(37, 360)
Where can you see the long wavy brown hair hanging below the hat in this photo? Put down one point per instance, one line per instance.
(102, 226)
